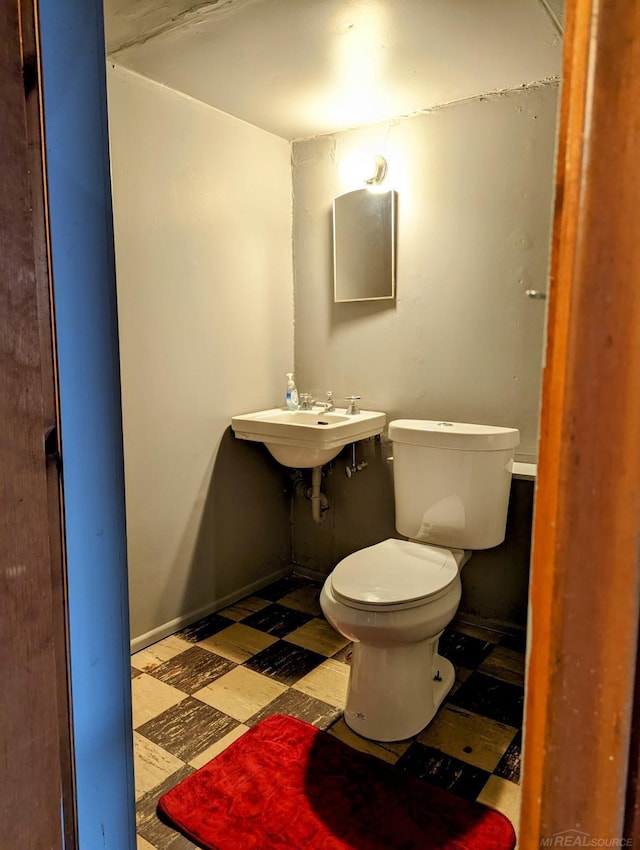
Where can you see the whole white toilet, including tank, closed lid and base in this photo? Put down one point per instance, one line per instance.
(394, 599)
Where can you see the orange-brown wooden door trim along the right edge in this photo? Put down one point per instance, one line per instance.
(585, 572)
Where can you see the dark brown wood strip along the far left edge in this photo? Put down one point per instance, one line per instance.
(37, 760)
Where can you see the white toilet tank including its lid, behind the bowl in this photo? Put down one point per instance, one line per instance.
(452, 481)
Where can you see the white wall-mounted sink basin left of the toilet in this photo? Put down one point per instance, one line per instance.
(304, 438)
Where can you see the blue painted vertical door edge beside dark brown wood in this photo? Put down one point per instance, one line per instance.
(84, 293)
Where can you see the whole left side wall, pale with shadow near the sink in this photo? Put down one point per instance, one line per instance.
(202, 208)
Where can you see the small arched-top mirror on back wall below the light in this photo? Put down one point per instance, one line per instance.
(364, 246)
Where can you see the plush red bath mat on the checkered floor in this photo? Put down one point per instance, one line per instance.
(285, 785)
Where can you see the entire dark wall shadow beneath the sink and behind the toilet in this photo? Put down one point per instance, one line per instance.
(246, 536)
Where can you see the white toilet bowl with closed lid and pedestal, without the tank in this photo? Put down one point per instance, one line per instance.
(393, 600)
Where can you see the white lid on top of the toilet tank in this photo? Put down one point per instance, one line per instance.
(453, 435)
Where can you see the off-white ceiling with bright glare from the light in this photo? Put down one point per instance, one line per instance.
(301, 68)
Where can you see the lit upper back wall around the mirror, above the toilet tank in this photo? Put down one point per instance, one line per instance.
(461, 341)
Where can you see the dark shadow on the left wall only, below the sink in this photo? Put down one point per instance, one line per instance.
(244, 534)
